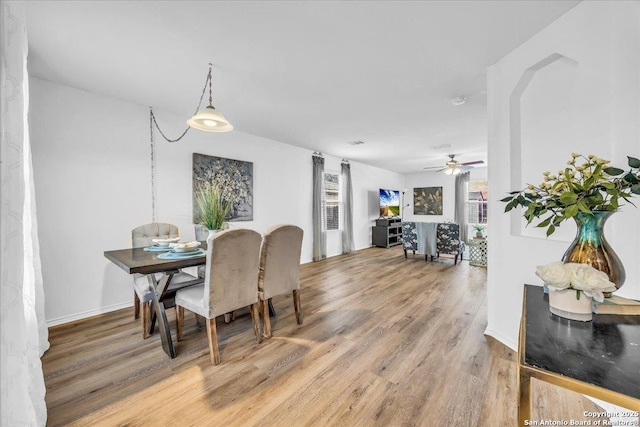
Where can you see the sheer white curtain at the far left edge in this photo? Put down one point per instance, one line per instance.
(23, 331)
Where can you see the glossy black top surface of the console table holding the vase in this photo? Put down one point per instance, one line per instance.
(604, 352)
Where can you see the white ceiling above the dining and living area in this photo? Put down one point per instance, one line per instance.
(316, 74)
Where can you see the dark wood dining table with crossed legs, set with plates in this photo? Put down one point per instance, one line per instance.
(149, 263)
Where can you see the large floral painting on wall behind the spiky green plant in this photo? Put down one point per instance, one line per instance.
(233, 177)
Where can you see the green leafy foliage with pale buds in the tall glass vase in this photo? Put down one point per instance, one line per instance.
(588, 184)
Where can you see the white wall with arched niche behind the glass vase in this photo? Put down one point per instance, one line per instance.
(573, 87)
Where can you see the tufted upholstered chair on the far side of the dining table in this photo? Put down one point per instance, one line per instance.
(141, 237)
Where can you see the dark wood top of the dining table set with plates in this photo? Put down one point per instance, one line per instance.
(137, 260)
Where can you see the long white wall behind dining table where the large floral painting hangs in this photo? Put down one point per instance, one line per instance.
(91, 158)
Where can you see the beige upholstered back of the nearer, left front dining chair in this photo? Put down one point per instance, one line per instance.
(231, 272)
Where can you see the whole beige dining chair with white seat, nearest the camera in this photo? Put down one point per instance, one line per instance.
(231, 277)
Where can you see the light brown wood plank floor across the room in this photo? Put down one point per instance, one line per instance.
(385, 341)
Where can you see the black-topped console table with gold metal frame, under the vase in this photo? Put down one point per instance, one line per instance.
(600, 358)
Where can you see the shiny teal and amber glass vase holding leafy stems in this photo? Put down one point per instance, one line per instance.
(590, 247)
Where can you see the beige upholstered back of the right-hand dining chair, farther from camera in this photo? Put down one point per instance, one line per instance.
(280, 260)
